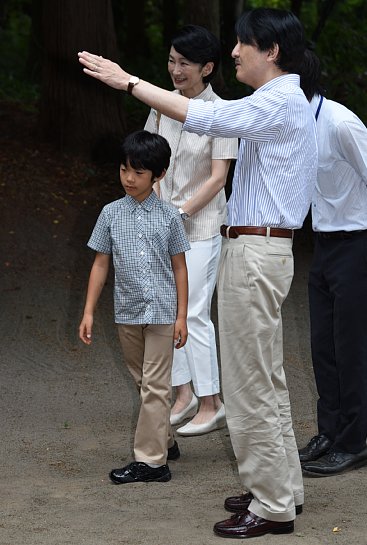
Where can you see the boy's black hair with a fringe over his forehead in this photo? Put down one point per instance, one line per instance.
(147, 151)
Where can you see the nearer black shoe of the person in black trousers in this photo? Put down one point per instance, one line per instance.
(334, 463)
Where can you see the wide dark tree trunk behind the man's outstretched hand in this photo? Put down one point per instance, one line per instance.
(76, 111)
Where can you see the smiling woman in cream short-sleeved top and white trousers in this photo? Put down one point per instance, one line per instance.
(194, 183)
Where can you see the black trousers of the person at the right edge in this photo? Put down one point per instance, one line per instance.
(338, 312)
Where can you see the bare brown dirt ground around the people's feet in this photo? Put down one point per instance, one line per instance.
(68, 411)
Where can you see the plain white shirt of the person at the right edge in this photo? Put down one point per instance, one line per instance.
(339, 202)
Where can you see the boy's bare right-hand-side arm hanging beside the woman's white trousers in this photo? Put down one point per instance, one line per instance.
(180, 272)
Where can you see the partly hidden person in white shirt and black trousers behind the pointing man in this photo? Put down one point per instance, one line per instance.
(338, 287)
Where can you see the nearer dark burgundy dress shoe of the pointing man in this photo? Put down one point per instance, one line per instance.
(249, 525)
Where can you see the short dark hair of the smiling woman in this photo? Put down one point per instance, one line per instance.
(198, 45)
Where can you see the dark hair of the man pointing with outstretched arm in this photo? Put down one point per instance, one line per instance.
(264, 27)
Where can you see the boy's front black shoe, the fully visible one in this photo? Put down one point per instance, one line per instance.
(140, 472)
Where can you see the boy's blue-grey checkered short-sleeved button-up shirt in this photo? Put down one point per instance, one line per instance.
(141, 237)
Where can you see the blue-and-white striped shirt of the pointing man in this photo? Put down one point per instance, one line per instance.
(275, 172)
